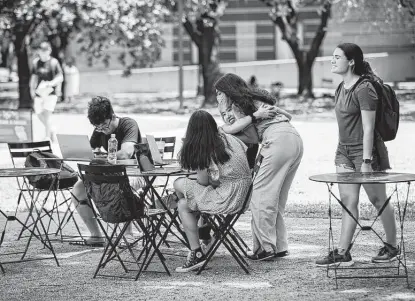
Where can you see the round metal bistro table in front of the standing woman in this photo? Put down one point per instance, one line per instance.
(370, 178)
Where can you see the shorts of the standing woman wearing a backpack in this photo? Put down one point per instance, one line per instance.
(351, 156)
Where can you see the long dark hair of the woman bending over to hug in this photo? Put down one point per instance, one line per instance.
(240, 94)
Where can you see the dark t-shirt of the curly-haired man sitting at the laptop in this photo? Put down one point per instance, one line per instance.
(127, 131)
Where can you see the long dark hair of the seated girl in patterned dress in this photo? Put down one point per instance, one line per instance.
(203, 143)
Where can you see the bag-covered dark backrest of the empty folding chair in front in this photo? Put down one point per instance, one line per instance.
(108, 187)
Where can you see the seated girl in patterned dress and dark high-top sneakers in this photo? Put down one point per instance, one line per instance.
(222, 181)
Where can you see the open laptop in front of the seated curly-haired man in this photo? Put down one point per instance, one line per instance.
(75, 147)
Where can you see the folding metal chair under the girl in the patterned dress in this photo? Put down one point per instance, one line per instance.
(224, 231)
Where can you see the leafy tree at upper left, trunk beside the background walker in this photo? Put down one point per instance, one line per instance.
(131, 25)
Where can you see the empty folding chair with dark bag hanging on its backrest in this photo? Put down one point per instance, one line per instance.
(104, 184)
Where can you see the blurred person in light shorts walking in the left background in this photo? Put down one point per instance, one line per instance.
(45, 86)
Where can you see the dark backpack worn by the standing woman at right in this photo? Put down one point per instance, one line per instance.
(387, 112)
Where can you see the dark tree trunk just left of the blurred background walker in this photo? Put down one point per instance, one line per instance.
(23, 72)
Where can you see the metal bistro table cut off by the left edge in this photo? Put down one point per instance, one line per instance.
(39, 233)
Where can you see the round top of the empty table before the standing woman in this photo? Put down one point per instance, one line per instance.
(375, 177)
